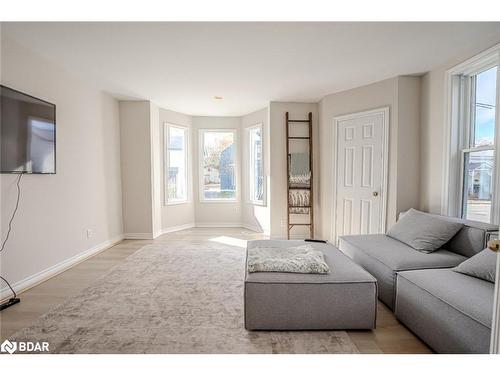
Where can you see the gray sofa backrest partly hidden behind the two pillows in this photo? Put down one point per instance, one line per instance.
(469, 240)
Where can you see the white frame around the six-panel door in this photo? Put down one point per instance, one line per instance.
(385, 164)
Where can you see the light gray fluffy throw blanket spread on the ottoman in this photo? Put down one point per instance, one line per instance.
(298, 259)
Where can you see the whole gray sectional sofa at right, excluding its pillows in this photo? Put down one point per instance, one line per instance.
(450, 311)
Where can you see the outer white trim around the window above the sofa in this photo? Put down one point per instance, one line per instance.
(455, 137)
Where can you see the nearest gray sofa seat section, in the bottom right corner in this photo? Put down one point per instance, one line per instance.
(449, 311)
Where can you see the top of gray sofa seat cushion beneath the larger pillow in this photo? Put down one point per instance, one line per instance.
(399, 256)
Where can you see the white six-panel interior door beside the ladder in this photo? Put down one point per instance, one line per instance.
(360, 176)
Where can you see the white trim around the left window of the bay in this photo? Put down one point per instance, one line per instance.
(166, 140)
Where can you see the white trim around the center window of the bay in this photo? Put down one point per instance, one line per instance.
(202, 198)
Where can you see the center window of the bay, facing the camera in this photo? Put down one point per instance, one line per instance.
(218, 165)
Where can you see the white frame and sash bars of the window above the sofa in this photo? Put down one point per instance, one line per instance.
(458, 133)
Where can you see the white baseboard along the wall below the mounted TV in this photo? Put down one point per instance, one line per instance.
(31, 281)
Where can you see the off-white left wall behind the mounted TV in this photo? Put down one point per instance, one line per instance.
(56, 210)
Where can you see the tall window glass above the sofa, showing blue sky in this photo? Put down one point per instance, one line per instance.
(478, 154)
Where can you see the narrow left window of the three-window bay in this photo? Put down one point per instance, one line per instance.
(176, 164)
